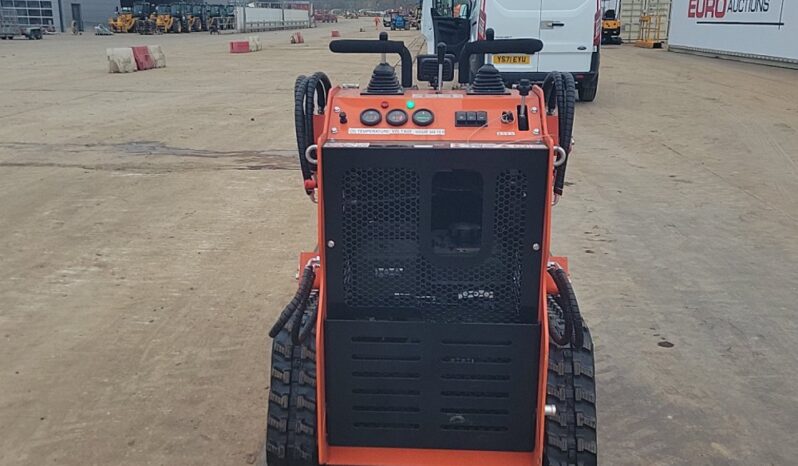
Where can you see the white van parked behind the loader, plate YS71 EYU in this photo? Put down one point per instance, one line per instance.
(570, 31)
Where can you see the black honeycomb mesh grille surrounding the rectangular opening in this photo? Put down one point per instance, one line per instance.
(384, 265)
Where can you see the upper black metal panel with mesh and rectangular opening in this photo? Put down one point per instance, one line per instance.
(390, 260)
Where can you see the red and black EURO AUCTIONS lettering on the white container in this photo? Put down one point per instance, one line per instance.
(741, 12)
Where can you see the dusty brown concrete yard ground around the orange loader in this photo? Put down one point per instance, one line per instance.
(149, 225)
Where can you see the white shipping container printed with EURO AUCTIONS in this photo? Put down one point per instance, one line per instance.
(757, 30)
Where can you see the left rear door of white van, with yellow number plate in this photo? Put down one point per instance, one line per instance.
(512, 19)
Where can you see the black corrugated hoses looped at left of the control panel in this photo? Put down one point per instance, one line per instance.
(310, 98)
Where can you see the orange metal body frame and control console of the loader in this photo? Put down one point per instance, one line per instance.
(444, 106)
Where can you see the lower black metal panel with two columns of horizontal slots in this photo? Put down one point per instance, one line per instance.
(431, 385)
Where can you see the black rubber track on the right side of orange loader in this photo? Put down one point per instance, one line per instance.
(571, 434)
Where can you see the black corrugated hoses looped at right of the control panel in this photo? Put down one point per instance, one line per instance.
(560, 92)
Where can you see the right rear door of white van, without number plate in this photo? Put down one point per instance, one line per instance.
(568, 31)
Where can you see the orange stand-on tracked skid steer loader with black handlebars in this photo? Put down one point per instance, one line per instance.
(433, 326)
